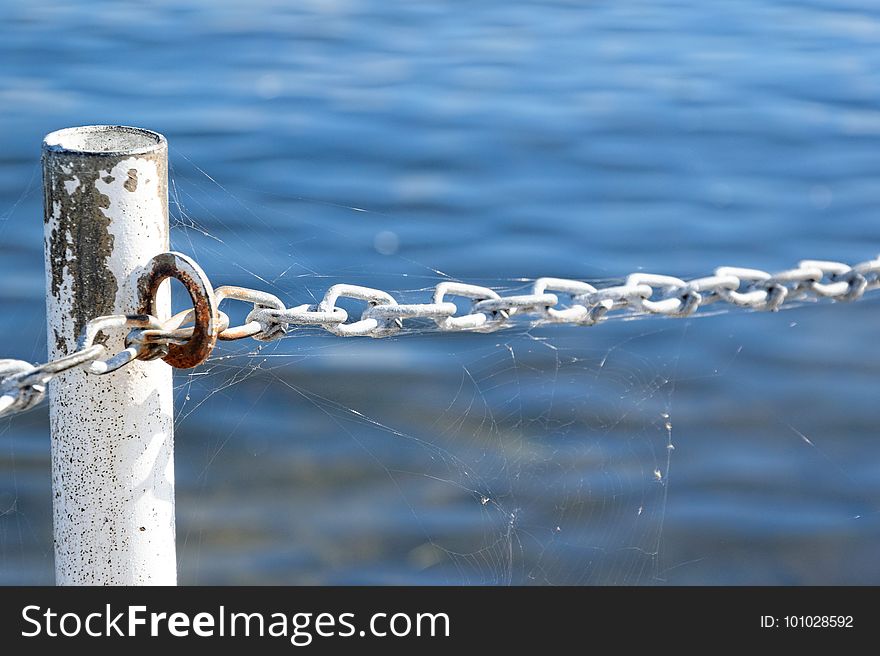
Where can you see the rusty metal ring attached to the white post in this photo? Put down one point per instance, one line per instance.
(204, 336)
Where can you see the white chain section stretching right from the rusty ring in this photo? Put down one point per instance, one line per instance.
(557, 300)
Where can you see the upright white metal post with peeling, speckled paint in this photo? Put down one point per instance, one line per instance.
(106, 214)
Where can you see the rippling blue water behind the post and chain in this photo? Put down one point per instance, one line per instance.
(496, 141)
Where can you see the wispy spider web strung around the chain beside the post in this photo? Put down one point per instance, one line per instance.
(525, 456)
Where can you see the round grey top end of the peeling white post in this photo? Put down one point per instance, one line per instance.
(104, 140)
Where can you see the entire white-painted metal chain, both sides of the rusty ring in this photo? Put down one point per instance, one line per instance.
(551, 300)
